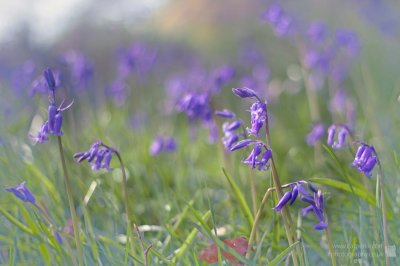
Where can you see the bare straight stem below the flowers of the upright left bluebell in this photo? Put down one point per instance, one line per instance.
(71, 203)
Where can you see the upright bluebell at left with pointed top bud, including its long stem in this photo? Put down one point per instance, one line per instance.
(53, 126)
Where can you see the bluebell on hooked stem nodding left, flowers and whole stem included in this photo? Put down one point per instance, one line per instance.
(99, 157)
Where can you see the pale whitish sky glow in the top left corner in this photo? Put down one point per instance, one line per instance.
(47, 19)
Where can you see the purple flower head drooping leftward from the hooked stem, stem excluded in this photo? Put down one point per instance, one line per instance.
(98, 156)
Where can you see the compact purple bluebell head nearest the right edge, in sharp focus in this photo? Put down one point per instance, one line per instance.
(365, 159)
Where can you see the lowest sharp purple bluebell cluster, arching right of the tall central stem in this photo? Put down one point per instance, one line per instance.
(315, 200)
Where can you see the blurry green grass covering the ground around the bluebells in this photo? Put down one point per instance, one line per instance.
(184, 201)
